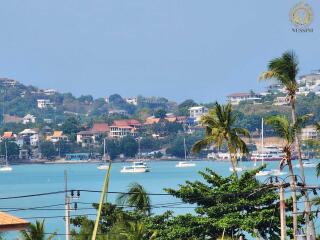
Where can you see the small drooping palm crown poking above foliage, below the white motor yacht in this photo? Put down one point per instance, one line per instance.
(136, 197)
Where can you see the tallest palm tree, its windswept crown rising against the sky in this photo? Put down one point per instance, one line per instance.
(285, 70)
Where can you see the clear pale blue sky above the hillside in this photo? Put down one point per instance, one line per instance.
(178, 49)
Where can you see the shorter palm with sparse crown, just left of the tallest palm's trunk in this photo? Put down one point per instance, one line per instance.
(288, 133)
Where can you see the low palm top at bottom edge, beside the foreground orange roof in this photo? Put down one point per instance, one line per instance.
(36, 232)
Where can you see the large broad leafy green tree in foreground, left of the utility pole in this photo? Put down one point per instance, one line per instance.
(230, 204)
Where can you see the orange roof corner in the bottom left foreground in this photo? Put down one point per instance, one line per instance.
(11, 223)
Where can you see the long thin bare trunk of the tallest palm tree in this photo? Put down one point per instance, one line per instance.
(310, 228)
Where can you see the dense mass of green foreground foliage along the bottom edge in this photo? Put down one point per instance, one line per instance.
(238, 206)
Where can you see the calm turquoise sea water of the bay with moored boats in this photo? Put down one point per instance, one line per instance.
(33, 179)
